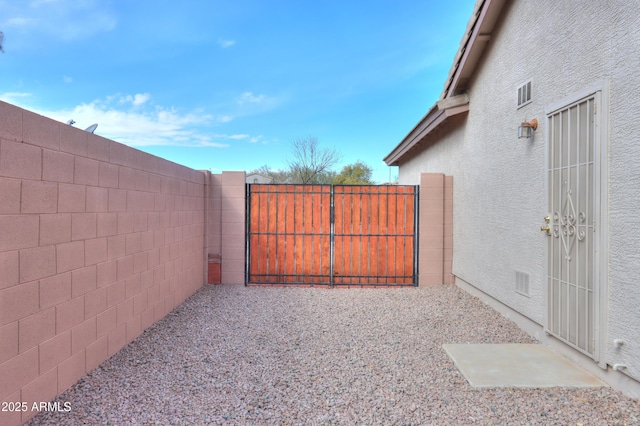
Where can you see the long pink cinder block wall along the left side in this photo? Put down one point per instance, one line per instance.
(97, 242)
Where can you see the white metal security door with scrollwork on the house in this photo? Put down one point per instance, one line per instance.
(573, 200)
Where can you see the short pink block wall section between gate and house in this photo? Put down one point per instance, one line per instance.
(435, 247)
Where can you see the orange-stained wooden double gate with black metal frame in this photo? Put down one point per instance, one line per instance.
(332, 235)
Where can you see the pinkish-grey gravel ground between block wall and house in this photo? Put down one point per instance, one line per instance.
(247, 355)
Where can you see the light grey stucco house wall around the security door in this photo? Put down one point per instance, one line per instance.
(500, 180)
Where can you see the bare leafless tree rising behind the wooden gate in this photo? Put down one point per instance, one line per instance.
(310, 163)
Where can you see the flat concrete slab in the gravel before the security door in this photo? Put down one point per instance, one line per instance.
(517, 365)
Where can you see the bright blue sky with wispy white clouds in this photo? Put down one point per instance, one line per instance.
(228, 84)
